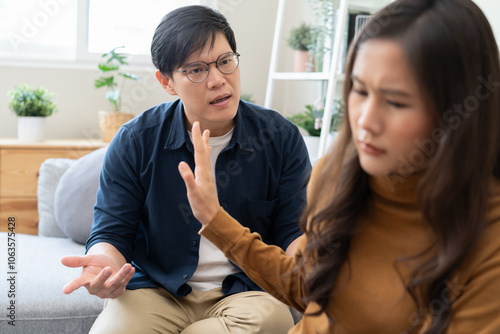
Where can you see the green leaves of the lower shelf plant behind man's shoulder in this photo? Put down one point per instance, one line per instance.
(311, 118)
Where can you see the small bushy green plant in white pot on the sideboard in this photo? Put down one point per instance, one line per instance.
(32, 106)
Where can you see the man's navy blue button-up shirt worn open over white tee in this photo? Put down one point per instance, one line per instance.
(142, 207)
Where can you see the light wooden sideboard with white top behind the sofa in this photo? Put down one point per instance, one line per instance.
(19, 165)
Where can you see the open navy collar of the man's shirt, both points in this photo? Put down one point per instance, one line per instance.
(178, 134)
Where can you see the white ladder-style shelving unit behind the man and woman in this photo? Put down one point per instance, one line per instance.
(332, 76)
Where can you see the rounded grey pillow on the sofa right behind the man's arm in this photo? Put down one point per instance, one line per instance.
(76, 195)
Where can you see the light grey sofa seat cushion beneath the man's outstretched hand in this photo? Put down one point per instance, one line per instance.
(40, 305)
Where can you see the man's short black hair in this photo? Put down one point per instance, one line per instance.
(184, 31)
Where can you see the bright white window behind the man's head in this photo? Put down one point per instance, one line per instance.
(80, 30)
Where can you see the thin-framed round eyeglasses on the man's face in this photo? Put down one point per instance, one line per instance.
(226, 63)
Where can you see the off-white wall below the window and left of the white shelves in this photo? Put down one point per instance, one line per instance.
(79, 101)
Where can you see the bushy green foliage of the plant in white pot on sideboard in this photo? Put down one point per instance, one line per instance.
(27, 101)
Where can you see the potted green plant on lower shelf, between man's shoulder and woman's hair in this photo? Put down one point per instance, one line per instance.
(311, 121)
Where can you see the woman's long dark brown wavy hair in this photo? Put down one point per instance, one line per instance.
(451, 48)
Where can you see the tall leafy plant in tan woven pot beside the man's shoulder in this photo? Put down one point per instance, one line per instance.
(113, 79)
